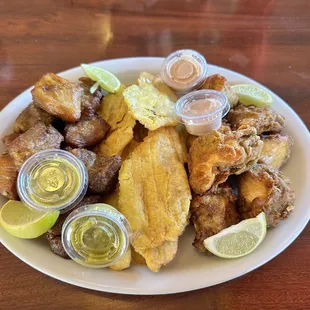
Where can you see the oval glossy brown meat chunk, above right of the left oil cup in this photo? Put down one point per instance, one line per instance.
(86, 132)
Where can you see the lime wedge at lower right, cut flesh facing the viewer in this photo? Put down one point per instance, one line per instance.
(238, 240)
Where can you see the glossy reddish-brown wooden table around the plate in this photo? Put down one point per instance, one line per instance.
(266, 40)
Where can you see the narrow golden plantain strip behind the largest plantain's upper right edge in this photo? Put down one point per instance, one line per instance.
(176, 141)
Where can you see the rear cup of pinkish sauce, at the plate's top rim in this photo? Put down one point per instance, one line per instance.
(184, 71)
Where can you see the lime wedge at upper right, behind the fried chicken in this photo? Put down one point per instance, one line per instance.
(252, 95)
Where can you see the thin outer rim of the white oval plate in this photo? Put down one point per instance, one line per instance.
(116, 290)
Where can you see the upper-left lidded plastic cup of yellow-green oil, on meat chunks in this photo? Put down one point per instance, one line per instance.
(52, 180)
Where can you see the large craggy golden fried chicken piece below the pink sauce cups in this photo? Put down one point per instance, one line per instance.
(215, 156)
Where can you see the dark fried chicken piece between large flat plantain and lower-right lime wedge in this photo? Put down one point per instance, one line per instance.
(212, 212)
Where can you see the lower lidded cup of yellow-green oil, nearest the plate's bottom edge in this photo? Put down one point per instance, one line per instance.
(96, 235)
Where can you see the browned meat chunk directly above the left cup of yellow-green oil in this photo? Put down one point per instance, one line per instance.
(36, 139)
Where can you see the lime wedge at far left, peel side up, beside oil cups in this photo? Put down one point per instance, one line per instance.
(22, 222)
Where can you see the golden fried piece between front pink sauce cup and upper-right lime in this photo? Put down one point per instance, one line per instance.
(219, 83)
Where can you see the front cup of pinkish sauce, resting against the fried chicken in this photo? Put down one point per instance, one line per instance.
(202, 111)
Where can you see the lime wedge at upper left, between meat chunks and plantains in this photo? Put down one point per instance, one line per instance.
(104, 79)
